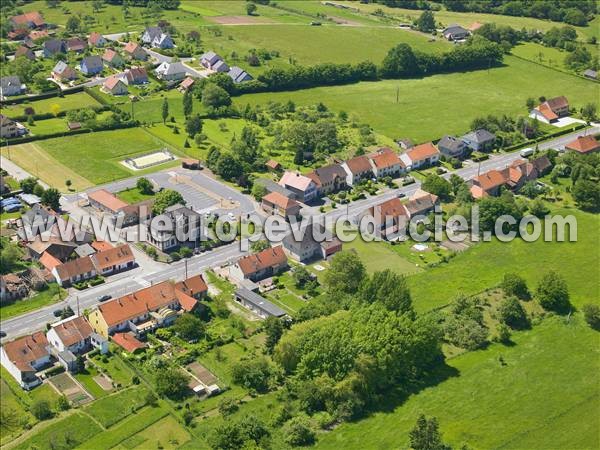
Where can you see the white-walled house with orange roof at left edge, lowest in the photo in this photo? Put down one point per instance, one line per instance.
(24, 357)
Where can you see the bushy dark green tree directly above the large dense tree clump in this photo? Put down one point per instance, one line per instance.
(389, 288)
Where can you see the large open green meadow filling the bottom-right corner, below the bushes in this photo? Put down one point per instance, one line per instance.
(545, 395)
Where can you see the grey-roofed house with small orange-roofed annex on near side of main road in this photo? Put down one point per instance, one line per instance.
(317, 244)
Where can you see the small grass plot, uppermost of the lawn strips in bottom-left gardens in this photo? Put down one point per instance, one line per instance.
(110, 409)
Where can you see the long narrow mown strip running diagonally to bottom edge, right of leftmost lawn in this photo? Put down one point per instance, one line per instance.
(125, 429)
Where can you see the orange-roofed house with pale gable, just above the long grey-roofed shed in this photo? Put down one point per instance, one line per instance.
(259, 266)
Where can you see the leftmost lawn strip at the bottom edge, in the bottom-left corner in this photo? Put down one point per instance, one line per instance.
(64, 434)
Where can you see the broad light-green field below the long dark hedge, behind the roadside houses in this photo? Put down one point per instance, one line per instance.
(433, 106)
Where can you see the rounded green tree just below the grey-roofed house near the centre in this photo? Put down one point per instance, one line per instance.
(345, 274)
